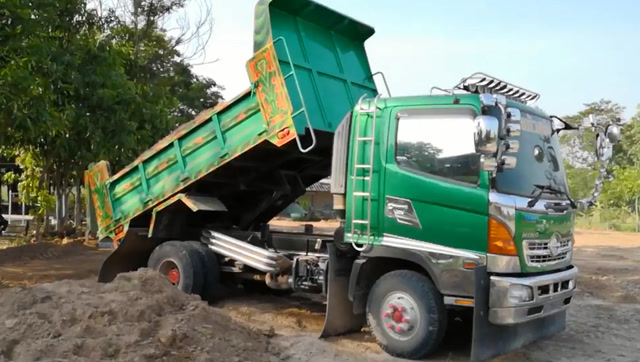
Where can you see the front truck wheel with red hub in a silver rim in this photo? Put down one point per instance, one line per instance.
(423, 339)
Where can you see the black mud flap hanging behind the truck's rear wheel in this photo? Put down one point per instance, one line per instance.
(131, 255)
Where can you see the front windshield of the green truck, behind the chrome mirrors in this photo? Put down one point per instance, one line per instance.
(539, 161)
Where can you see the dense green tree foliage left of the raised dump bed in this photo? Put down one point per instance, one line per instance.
(77, 86)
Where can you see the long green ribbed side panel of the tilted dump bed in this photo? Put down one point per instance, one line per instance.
(186, 158)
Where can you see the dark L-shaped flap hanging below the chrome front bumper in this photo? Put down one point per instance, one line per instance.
(490, 340)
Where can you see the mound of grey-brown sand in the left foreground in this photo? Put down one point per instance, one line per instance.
(138, 317)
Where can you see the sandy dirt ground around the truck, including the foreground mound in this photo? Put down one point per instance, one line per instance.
(604, 321)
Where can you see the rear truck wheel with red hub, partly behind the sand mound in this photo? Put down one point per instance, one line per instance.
(178, 255)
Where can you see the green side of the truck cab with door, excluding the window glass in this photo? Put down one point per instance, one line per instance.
(450, 215)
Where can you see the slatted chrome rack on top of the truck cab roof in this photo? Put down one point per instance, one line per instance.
(483, 83)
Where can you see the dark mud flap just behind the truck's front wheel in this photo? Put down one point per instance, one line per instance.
(339, 318)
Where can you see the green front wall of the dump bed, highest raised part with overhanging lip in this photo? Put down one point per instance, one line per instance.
(325, 49)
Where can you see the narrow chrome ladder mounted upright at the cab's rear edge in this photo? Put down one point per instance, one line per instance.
(366, 195)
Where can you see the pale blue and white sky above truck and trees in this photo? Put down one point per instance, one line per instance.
(571, 52)
